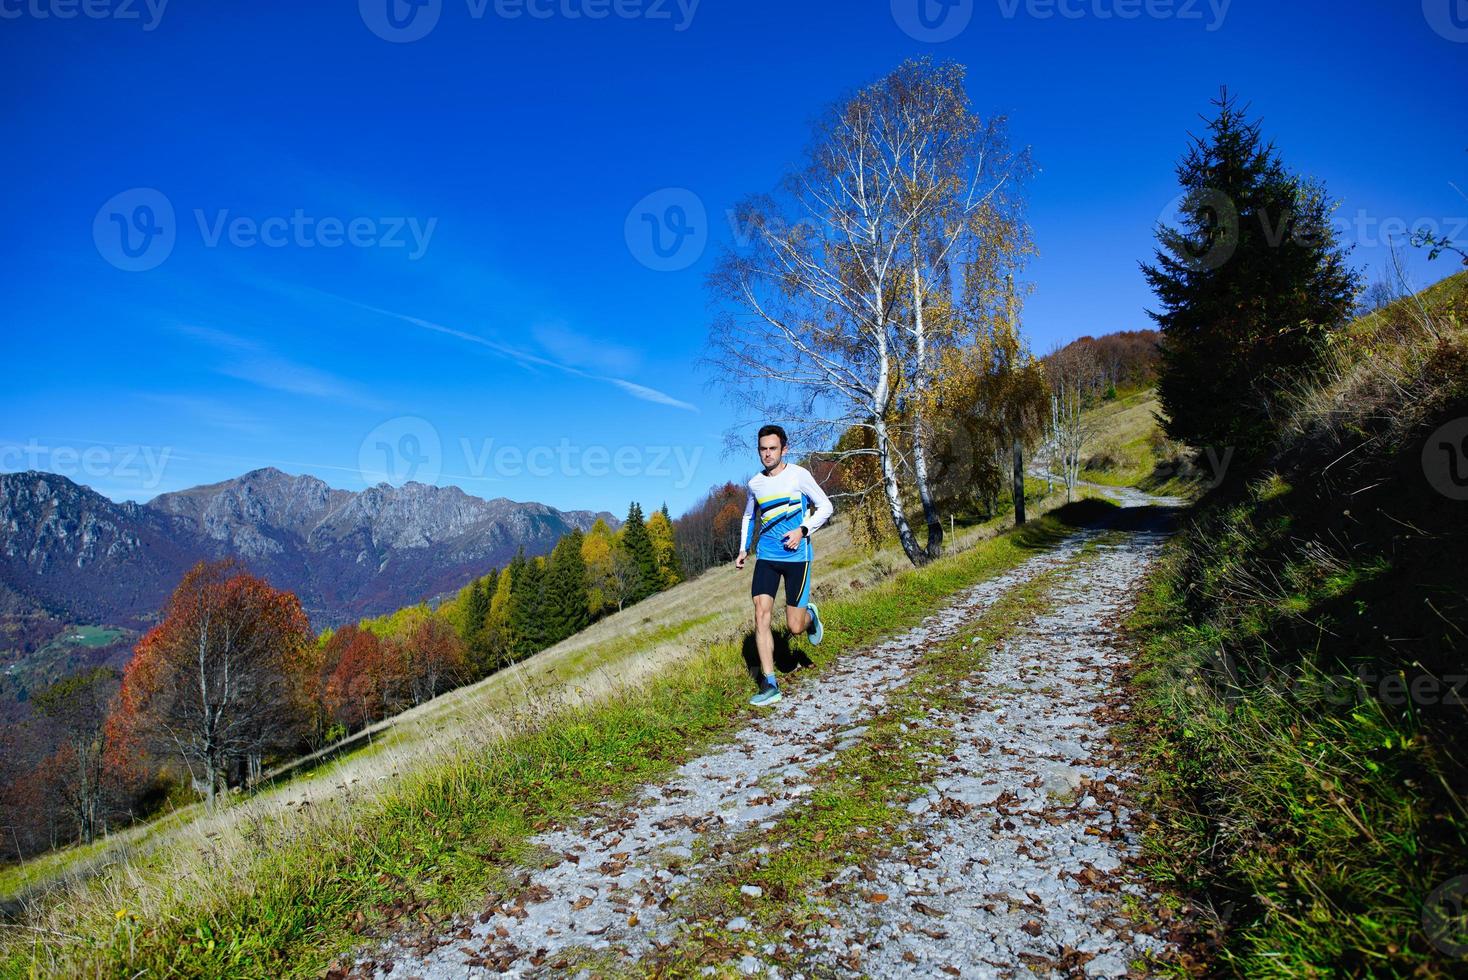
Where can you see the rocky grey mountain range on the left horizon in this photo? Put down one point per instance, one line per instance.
(70, 555)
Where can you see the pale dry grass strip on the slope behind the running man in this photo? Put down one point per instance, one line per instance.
(654, 636)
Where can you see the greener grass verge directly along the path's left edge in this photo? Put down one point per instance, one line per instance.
(306, 888)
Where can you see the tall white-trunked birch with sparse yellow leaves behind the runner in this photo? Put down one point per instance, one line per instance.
(832, 329)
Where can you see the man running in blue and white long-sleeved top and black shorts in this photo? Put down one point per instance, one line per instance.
(777, 504)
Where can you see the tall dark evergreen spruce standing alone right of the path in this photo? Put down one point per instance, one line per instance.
(1250, 288)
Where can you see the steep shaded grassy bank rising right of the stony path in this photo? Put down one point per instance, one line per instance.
(1307, 643)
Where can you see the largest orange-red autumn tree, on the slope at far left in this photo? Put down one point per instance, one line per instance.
(212, 684)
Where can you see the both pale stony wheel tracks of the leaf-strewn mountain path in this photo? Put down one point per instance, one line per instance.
(1024, 863)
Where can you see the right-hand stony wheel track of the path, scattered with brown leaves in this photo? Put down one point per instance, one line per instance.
(1022, 843)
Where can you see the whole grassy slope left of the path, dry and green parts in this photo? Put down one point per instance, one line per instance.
(434, 806)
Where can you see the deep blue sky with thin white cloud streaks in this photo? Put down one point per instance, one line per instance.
(394, 257)
